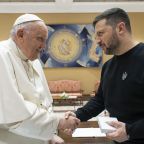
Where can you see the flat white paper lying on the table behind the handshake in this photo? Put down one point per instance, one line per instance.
(88, 132)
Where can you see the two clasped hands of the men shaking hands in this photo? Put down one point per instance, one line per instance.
(69, 123)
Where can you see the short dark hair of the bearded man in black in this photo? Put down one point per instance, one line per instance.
(114, 16)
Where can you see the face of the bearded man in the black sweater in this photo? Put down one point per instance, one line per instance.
(106, 37)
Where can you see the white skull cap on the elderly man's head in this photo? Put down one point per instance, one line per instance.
(26, 18)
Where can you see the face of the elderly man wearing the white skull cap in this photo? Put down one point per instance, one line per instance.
(34, 40)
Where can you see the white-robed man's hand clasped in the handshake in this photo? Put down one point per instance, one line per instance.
(70, 123)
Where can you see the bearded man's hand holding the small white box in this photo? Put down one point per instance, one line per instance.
(120, 134)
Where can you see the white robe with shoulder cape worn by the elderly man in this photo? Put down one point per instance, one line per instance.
(25, 99)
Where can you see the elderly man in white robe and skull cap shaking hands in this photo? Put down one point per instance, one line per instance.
(26, 115)
